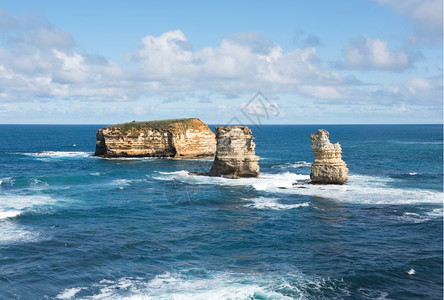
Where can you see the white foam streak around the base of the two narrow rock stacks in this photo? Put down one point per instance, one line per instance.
(359, 188)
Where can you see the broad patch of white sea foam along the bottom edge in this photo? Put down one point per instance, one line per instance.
(216, 285)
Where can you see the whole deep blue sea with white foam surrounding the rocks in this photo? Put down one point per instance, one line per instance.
(73, 226)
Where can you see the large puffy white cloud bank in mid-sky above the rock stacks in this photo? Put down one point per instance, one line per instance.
(242, 62)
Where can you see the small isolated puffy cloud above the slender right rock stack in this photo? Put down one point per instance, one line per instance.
(373, 54)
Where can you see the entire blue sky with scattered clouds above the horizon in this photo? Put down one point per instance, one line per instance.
(225, 62)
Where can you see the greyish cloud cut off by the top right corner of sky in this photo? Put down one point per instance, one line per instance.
(427, 15)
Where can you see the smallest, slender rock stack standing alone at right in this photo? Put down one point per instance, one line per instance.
(328, 166)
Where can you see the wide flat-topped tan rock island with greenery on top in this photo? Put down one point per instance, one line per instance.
(179, 138)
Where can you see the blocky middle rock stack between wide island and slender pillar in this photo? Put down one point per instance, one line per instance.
(235, 155)
